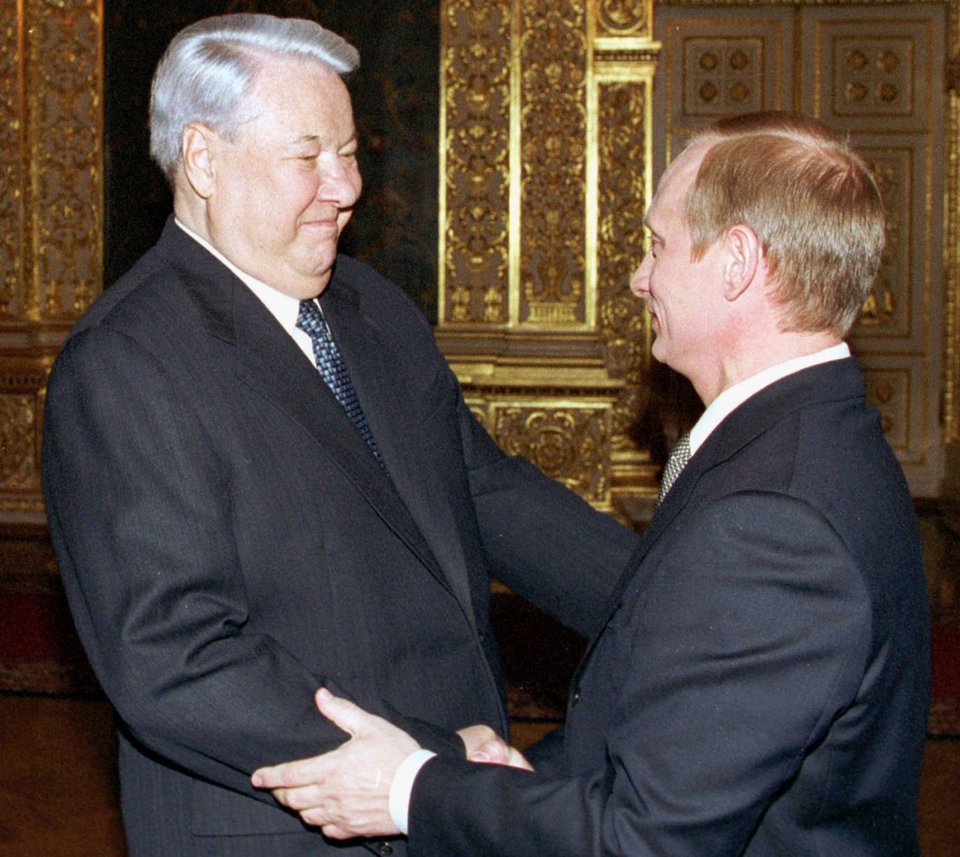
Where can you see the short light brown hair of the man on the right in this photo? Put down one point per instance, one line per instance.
(811, 200)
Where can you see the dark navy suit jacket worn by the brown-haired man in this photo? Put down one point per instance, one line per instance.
(761, 686)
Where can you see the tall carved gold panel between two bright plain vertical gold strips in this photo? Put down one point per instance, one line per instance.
(553, 53)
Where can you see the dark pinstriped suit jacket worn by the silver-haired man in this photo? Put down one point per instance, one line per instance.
(228, 542)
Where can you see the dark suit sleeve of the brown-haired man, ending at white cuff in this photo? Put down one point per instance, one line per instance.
(723, 665)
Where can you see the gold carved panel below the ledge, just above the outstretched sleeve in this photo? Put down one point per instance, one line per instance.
(568, 444)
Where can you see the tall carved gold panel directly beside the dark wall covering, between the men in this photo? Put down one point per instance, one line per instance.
(475, 163)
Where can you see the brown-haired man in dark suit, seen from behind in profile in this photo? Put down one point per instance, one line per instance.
(760, 686)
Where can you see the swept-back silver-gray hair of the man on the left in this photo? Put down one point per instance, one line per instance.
(211, 65)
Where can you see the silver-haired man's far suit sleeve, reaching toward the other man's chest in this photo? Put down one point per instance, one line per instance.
(542, 540)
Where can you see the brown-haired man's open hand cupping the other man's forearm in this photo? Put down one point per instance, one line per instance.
(344, 792)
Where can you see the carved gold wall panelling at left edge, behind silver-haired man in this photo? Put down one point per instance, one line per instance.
(51, 169)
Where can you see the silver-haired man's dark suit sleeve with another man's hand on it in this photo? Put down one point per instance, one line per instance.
(138, 503)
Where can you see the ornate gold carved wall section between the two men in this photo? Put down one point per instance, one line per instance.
(545, 178)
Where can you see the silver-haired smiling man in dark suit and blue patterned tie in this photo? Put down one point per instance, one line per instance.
(261, 476)
